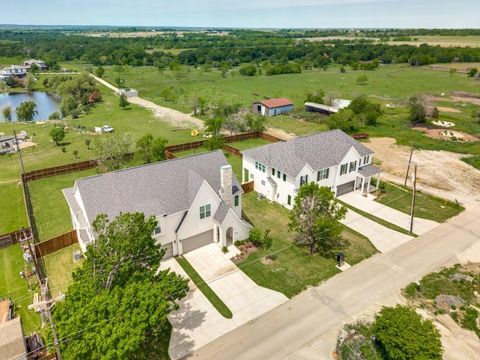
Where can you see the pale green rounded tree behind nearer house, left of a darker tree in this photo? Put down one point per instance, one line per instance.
(113, 150)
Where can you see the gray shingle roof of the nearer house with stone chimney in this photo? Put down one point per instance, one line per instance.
(165, 187)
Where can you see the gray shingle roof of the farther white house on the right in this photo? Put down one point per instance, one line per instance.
(320, 151)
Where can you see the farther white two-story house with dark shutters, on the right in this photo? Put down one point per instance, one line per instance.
(331, 158)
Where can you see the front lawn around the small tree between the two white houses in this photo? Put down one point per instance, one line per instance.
(292, 269)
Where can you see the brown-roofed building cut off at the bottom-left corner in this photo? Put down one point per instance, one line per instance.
(12, 340)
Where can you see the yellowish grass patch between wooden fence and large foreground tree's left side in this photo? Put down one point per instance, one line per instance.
(59, 267)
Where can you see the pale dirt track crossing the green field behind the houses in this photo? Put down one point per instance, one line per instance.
(174, 117)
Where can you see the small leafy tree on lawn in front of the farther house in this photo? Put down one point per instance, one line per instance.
(315, 218)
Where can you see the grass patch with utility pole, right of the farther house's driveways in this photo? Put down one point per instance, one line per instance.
(426, 206)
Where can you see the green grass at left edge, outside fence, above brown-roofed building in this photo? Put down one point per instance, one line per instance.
(15, 288)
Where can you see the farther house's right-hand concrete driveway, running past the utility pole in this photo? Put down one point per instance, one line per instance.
(369, 205)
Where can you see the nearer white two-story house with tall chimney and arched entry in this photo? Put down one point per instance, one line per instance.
(196, 201)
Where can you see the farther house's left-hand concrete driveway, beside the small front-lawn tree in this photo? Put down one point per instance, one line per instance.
(383, 238)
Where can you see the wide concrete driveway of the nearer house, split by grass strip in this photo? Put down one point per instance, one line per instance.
(197, 322)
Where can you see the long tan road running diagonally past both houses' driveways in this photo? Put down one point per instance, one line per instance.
(306, 326)
